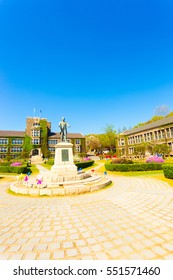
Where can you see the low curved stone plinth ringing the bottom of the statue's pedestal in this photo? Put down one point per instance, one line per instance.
(90, 184)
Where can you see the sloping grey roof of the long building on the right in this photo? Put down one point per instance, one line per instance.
(162, 122)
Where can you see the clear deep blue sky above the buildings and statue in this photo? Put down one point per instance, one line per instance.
(95, 62)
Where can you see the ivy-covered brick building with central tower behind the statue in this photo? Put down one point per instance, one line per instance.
(38, 139)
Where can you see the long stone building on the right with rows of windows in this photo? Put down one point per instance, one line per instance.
(158, 132)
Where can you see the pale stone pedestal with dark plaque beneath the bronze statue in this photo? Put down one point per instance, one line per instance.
(63, 162)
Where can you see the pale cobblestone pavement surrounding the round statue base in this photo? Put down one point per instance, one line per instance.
(133, 219)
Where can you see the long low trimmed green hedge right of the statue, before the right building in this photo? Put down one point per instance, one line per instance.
(133, 167)
